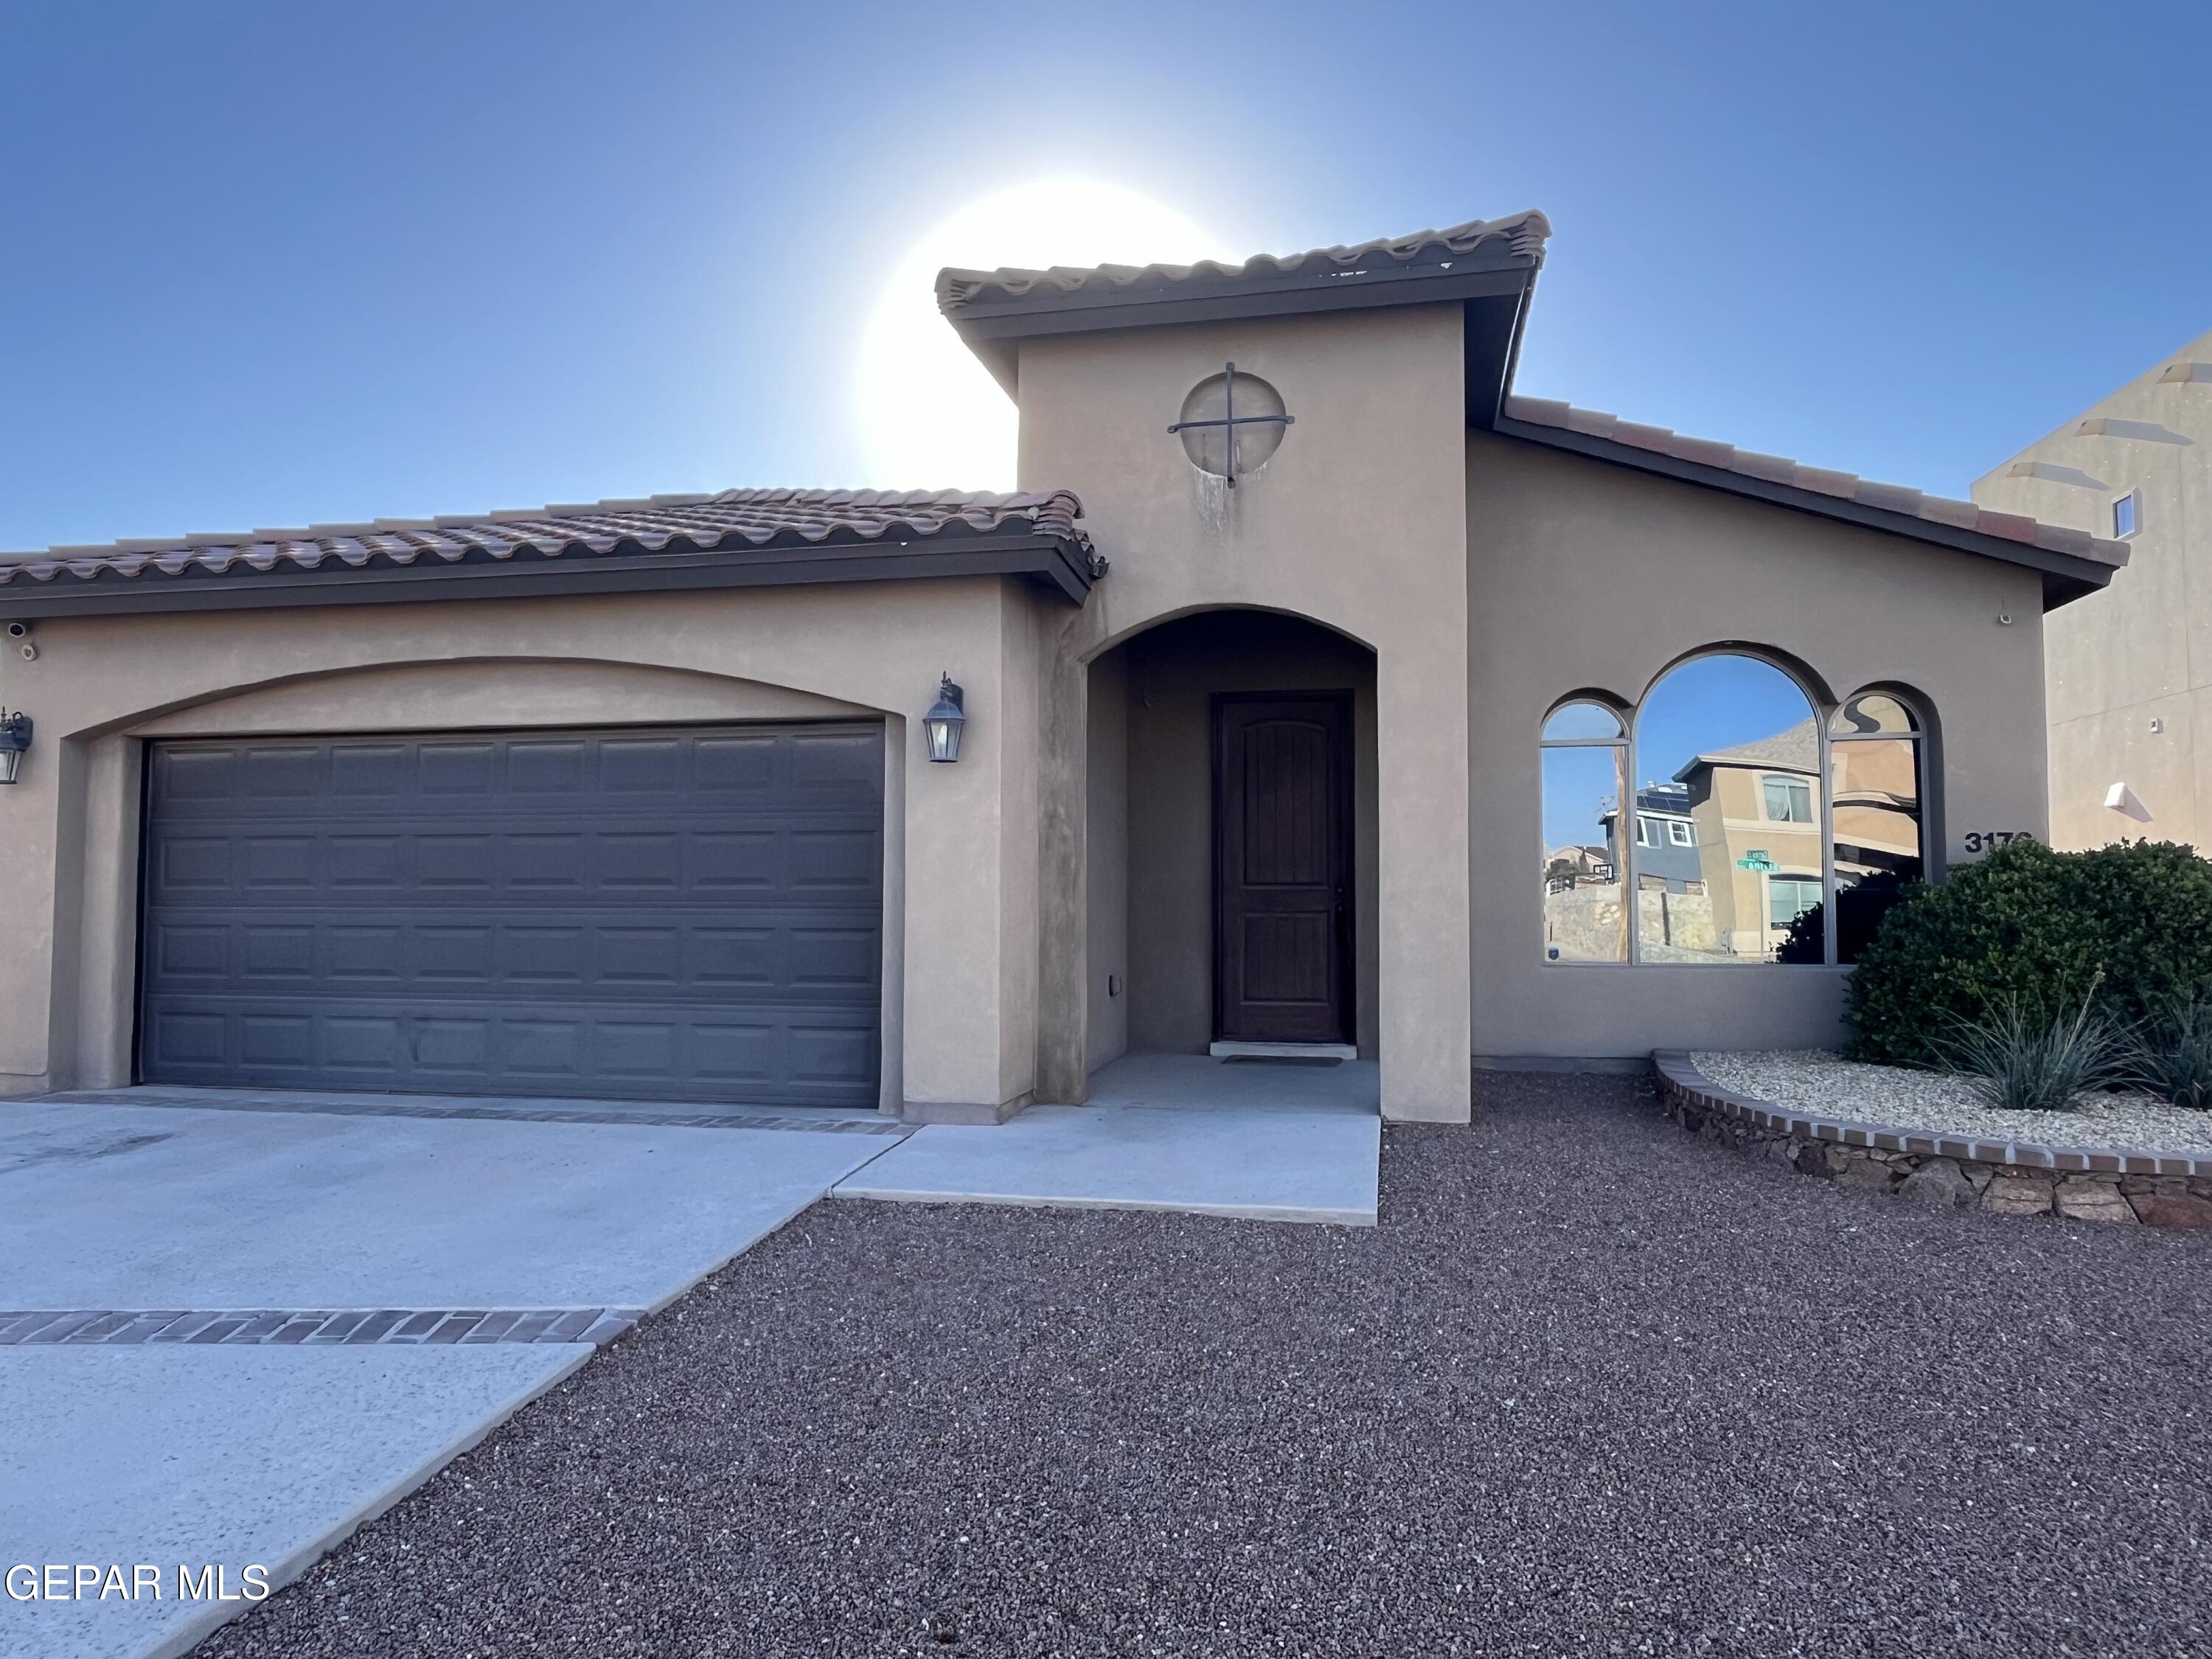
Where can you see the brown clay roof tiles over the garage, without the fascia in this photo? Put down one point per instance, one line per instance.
(733, 521)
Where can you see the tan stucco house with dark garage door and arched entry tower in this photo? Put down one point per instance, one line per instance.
(1295, 632)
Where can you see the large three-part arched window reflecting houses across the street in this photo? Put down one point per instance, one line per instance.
(1729, 820)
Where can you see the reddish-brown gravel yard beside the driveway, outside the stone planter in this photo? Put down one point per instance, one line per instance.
(1594, 1388)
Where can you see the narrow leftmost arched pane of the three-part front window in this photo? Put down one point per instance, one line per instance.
(1585, 769)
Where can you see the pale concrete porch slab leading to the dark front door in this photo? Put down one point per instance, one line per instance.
(1266, 1142)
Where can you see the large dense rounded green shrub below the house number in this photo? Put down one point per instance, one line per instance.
(2027, 932)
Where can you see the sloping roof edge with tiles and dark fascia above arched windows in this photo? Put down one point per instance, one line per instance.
(2072, 563)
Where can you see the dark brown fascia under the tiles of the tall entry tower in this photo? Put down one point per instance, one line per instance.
(992, 331)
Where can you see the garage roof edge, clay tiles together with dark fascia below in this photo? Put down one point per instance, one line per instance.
(667, 543)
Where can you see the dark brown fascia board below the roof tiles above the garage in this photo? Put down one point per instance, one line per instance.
(1052, 561)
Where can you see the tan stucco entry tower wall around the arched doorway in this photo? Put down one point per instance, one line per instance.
(1355, 523)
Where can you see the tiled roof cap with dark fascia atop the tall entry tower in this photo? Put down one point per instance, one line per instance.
(1488, 264)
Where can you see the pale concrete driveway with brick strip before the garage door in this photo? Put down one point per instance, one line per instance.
(236, 1326)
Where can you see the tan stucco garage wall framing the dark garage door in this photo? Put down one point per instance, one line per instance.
(961, 839)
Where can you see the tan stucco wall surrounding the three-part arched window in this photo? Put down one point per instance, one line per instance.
(1587, 576)
